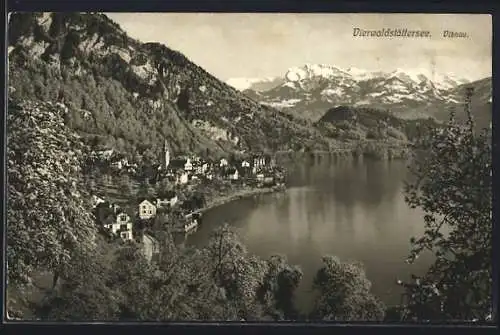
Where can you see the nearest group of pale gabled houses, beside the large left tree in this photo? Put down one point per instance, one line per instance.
(119, 222)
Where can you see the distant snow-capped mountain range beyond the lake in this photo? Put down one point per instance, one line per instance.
(311, 89)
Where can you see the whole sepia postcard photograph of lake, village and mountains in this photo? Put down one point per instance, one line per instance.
(249, 167)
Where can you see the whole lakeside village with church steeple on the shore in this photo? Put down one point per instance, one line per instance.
(181, 206)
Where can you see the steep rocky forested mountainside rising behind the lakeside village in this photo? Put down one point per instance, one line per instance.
(131, 96)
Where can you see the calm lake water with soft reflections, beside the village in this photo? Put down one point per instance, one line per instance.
(352, 209)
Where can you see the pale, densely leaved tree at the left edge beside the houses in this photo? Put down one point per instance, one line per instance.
(48, 217)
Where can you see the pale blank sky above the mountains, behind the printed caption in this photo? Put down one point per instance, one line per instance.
(230, 45)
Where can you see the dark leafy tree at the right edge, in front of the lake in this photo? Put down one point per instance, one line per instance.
(452, 185)
